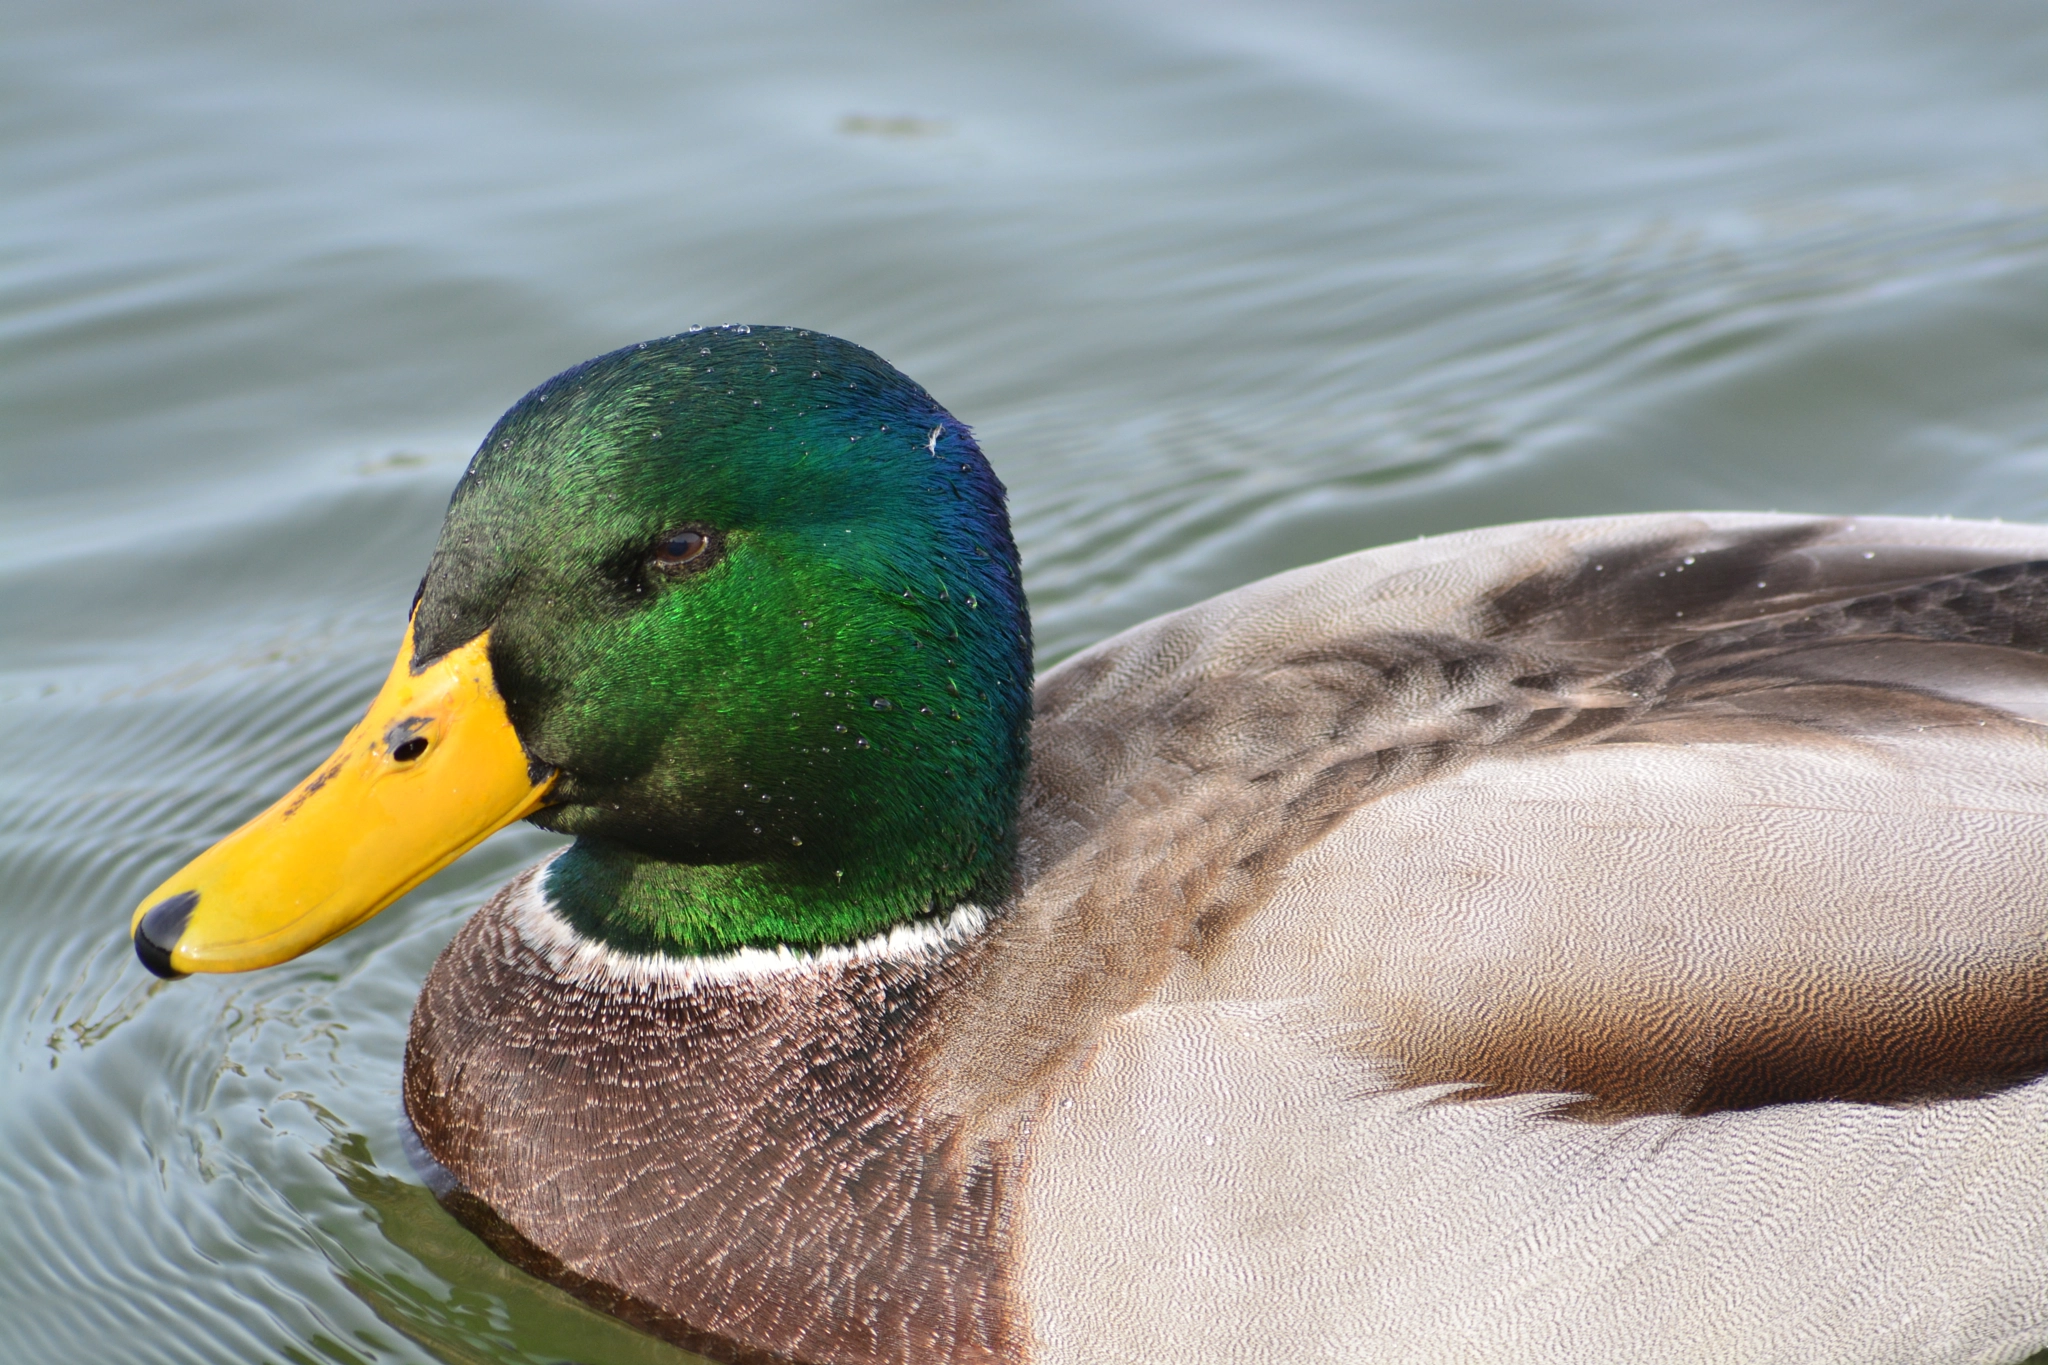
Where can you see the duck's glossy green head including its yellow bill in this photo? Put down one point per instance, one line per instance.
(738, 611)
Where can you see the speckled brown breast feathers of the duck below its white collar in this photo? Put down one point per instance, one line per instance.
(744, 1168)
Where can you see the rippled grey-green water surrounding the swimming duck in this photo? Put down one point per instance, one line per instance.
(1224, 290)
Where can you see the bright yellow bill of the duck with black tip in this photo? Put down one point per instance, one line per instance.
(427, 775)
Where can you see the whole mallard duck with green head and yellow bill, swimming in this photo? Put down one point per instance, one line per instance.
(1605, 940)
